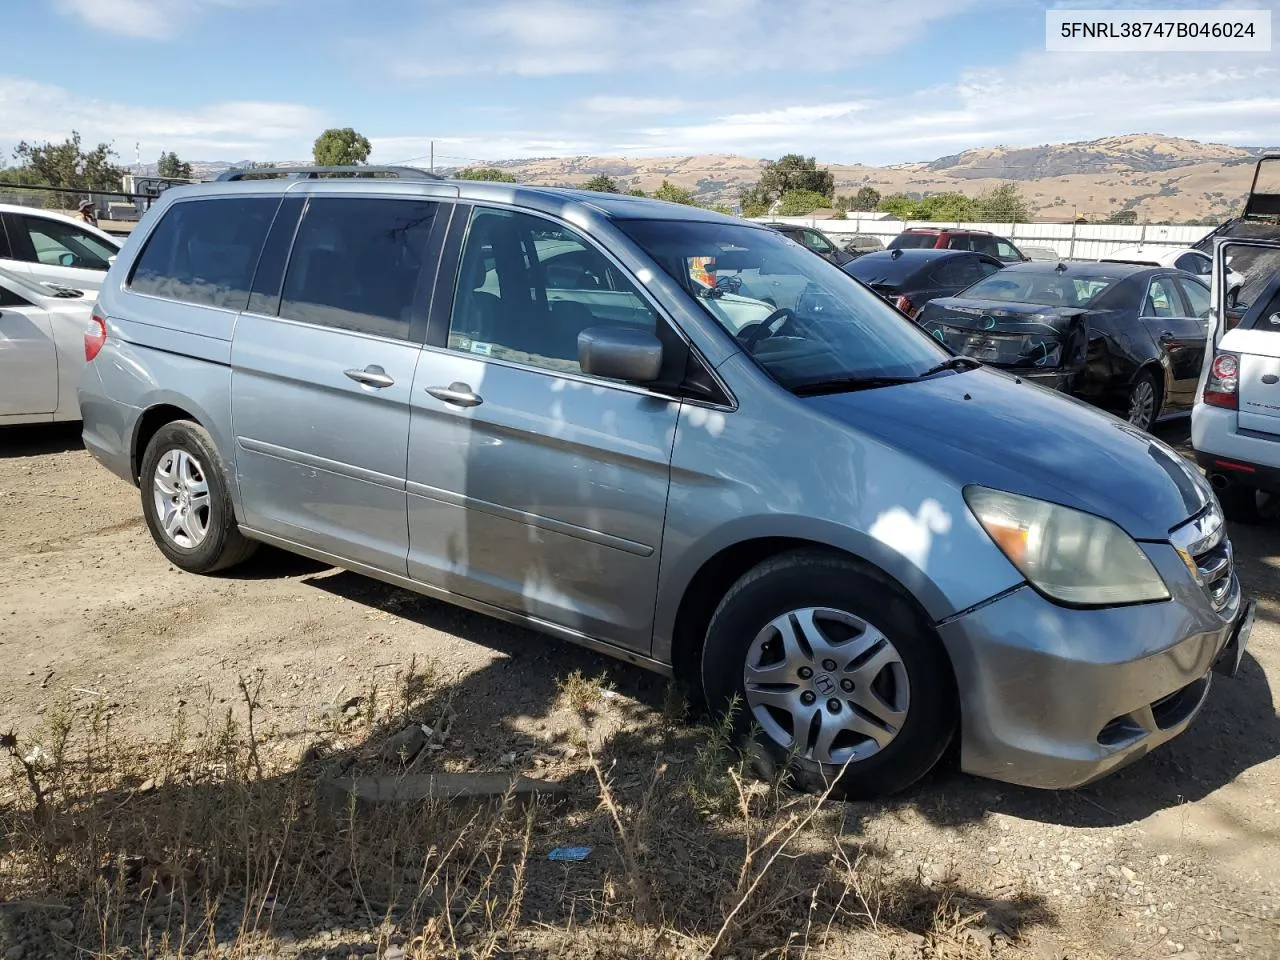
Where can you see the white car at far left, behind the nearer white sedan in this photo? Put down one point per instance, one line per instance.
(49, 248)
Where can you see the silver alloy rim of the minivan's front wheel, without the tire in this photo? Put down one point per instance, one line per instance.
(826, 685)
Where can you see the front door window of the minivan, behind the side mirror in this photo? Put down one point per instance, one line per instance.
(528, 287)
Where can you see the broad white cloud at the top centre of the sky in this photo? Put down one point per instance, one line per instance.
(561, 38)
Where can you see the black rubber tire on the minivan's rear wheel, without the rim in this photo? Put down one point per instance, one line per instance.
(190, 437)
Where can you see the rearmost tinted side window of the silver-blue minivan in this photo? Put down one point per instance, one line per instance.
(205, 252)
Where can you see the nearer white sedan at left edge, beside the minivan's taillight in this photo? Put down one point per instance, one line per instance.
(42, 350)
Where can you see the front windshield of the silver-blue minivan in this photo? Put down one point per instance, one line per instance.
(799, 317)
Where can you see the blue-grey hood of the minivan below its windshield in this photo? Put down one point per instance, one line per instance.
(988, 428)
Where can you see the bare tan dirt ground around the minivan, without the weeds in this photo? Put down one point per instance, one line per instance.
(1176, 856)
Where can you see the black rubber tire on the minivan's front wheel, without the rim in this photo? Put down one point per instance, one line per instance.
(820, 580)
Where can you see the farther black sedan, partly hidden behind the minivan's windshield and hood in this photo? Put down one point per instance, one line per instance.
(911, 278)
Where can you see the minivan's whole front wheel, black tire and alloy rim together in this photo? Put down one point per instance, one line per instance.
(892, 694)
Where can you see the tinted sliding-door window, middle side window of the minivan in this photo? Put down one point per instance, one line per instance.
(356, 264)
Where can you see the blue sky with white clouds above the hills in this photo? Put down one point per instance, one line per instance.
(849, 81)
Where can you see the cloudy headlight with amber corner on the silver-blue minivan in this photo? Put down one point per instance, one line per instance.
(1067, 555)
